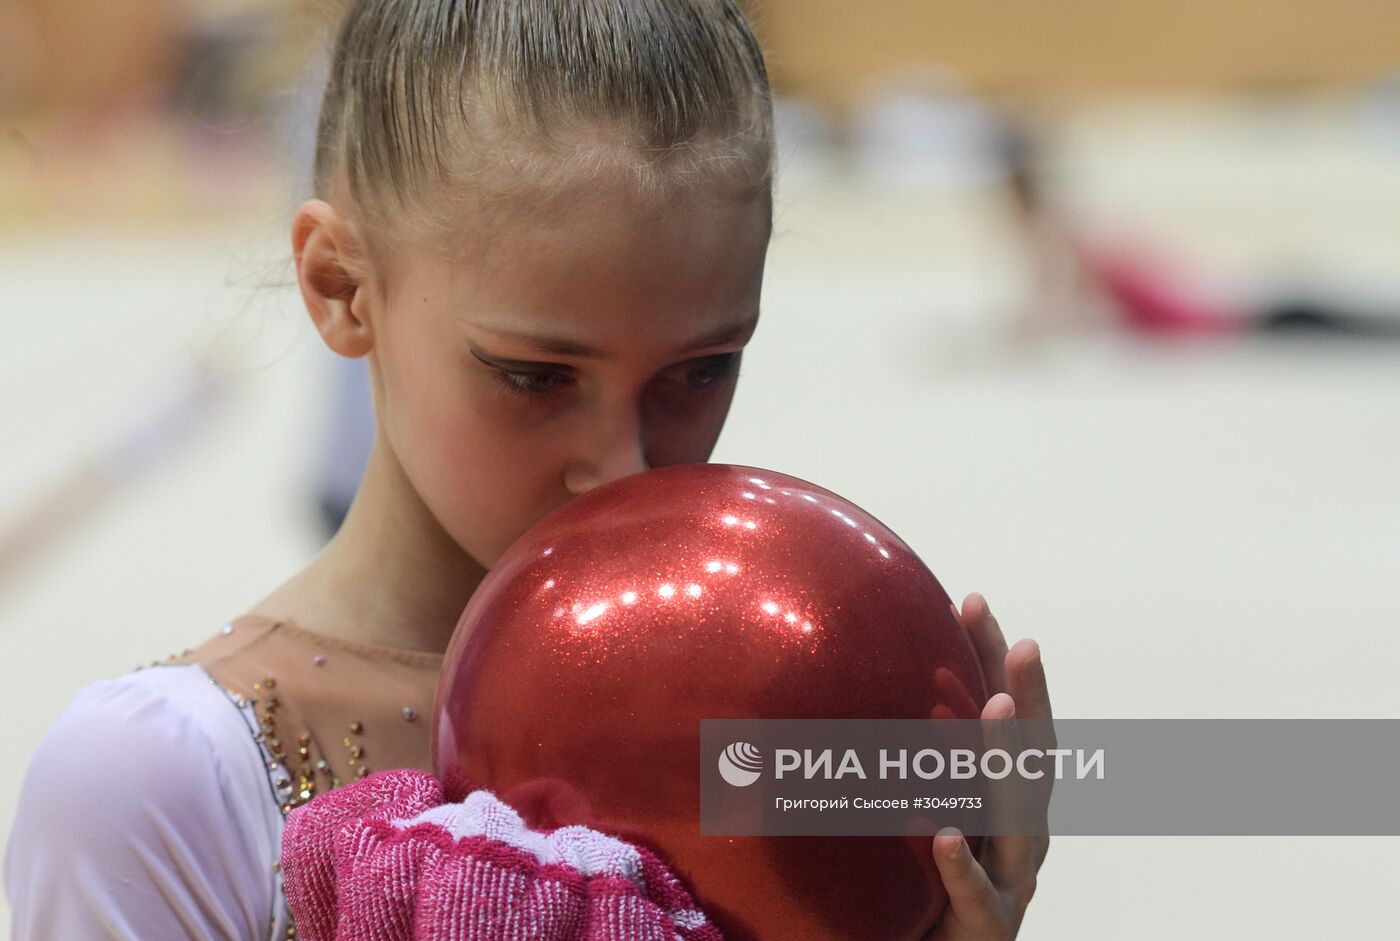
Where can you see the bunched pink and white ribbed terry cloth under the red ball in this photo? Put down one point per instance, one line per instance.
(386, 859)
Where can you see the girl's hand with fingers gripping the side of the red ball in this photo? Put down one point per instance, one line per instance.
(988, 897)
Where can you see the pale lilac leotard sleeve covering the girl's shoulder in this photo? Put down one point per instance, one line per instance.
(145, 802)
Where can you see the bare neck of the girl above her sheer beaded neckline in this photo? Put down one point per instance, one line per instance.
(391, 576)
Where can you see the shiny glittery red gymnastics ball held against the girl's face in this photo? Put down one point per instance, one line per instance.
(580, 671)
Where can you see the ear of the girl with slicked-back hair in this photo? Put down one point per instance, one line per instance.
(334, 274)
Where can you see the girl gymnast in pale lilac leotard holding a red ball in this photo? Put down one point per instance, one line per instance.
(544, 225)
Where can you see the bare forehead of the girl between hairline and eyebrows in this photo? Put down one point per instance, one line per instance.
(605, 261)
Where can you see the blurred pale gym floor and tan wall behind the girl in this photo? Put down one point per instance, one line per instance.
(1093, 302)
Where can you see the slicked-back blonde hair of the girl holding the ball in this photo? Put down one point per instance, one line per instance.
(426, 95)
